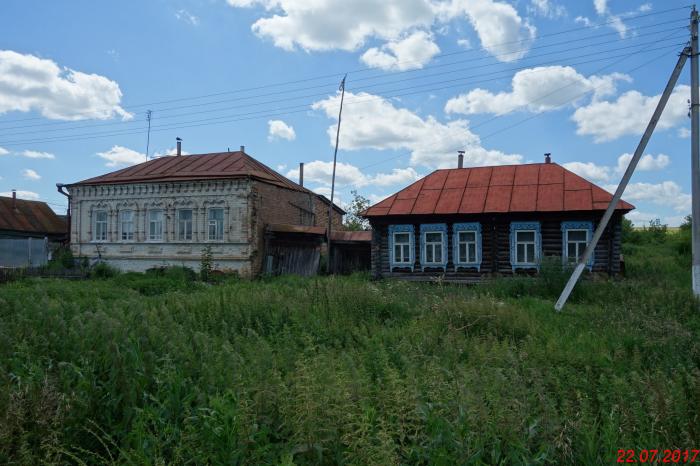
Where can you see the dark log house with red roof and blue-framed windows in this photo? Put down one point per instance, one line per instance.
(465, 223)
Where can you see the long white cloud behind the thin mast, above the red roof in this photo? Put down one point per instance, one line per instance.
(372, 122)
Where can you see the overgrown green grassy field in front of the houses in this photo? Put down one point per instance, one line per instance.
(145, 369)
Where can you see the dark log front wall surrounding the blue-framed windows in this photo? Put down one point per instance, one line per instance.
(495, 247)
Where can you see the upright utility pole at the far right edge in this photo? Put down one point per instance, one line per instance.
(695, 149)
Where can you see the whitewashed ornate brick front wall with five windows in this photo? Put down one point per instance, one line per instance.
(101, 229)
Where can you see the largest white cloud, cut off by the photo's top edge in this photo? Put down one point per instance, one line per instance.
(338, 24)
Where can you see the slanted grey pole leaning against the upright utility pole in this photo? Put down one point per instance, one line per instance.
(626, 177)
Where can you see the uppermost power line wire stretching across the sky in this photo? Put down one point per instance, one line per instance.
(360, 70)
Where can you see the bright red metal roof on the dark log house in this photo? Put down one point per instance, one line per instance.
(537, 187)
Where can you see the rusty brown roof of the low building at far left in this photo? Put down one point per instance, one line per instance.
(30, 217)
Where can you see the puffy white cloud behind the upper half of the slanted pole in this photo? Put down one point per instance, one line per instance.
(629, 114)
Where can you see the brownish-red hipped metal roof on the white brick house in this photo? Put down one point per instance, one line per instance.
(220, 165)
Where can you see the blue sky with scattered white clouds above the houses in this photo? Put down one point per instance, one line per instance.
(503, 80)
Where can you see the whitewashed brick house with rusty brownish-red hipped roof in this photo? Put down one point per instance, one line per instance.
(166, 211)
